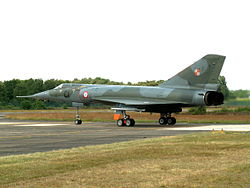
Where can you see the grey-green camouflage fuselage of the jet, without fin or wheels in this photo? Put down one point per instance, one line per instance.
(148, 99)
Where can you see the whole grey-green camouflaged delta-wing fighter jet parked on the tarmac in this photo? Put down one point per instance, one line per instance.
(197, 85)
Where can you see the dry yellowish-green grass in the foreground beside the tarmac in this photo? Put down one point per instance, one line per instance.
(195, 160)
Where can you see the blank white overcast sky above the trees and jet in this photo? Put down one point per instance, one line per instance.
(126, 41)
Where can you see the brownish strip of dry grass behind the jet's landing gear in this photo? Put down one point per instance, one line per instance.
(107, 116)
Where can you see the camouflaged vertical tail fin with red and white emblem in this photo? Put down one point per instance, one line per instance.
(203, 73)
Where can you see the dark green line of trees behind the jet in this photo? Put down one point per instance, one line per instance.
(12, 88)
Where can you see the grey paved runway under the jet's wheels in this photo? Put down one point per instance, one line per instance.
(22, 137)
